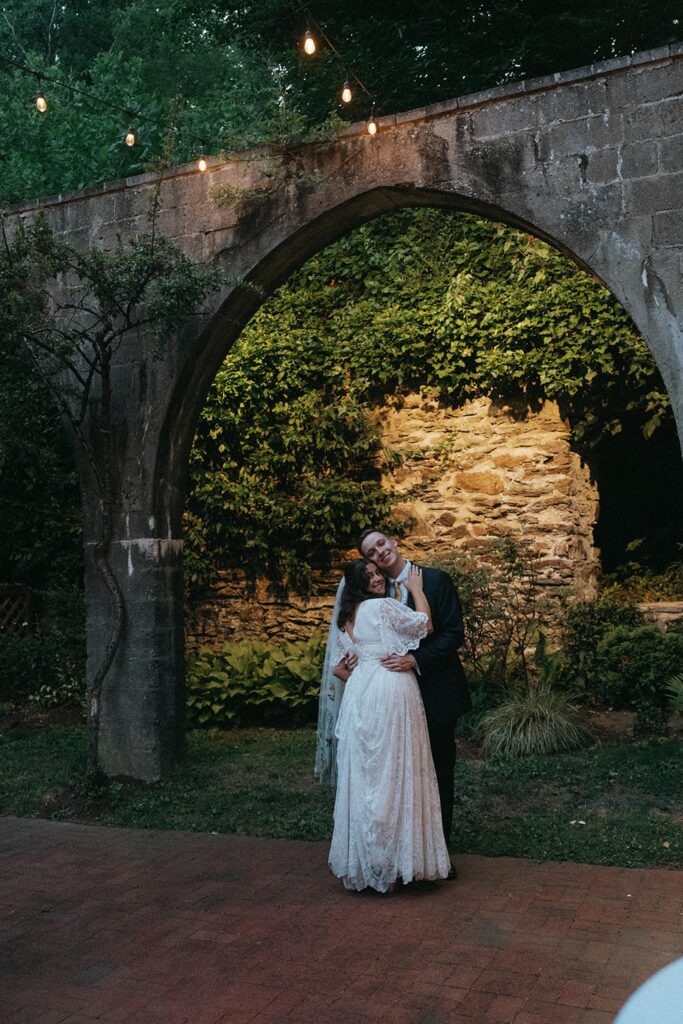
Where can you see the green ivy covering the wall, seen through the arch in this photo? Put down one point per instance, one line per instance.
(285, 465)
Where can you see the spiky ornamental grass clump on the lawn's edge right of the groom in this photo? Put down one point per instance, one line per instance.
(536, 721)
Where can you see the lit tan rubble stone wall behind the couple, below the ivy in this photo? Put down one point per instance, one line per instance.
(462, 479)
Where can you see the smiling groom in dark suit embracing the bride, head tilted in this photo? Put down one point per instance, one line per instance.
(436, 663)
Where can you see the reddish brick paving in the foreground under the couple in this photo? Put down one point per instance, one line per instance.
(162, 928)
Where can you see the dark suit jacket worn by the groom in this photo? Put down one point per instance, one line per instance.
(442, 679)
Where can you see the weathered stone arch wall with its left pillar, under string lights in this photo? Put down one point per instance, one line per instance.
(591, 161)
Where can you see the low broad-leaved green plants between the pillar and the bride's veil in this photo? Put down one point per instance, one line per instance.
(249, 682)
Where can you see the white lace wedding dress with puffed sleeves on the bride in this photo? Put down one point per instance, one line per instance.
(388, 815)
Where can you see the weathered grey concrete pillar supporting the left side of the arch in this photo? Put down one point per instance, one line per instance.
(141, 724)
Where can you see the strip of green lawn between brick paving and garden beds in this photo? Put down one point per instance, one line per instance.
(625, 800)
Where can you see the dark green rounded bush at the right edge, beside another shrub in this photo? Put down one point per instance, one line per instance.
(633, 668)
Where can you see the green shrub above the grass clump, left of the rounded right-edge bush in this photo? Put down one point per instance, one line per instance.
(584, 626)
